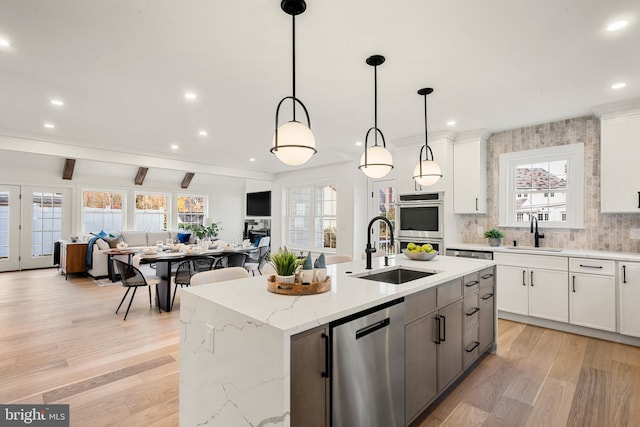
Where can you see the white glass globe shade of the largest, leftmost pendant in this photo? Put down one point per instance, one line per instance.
(296, 144)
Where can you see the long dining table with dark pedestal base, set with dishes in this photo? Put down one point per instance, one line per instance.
(165, 262)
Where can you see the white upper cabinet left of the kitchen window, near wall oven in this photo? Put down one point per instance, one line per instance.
(470, 174)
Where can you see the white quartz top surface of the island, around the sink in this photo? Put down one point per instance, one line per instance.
(348, 294)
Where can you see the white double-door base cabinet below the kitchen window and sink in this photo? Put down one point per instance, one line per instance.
(533, 285)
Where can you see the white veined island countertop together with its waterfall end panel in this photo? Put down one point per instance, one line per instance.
(236, 336)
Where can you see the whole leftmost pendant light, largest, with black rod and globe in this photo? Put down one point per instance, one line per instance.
(293, 142)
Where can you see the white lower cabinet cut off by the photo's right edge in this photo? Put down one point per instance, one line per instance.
(629, 289)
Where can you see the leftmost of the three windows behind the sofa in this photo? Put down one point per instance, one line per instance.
(102, 210)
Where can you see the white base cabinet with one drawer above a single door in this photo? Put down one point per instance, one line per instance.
(593, 293)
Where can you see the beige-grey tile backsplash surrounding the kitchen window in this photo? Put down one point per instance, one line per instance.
(610, 232)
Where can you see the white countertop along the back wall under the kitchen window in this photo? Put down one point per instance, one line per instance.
(616, 256)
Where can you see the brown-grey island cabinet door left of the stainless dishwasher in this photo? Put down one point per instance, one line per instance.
(310, 385)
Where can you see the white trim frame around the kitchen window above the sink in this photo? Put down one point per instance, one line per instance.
(574, 153)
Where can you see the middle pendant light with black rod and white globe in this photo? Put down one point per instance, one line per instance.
(376, 161)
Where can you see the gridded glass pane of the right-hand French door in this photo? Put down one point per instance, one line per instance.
(46, 222)
